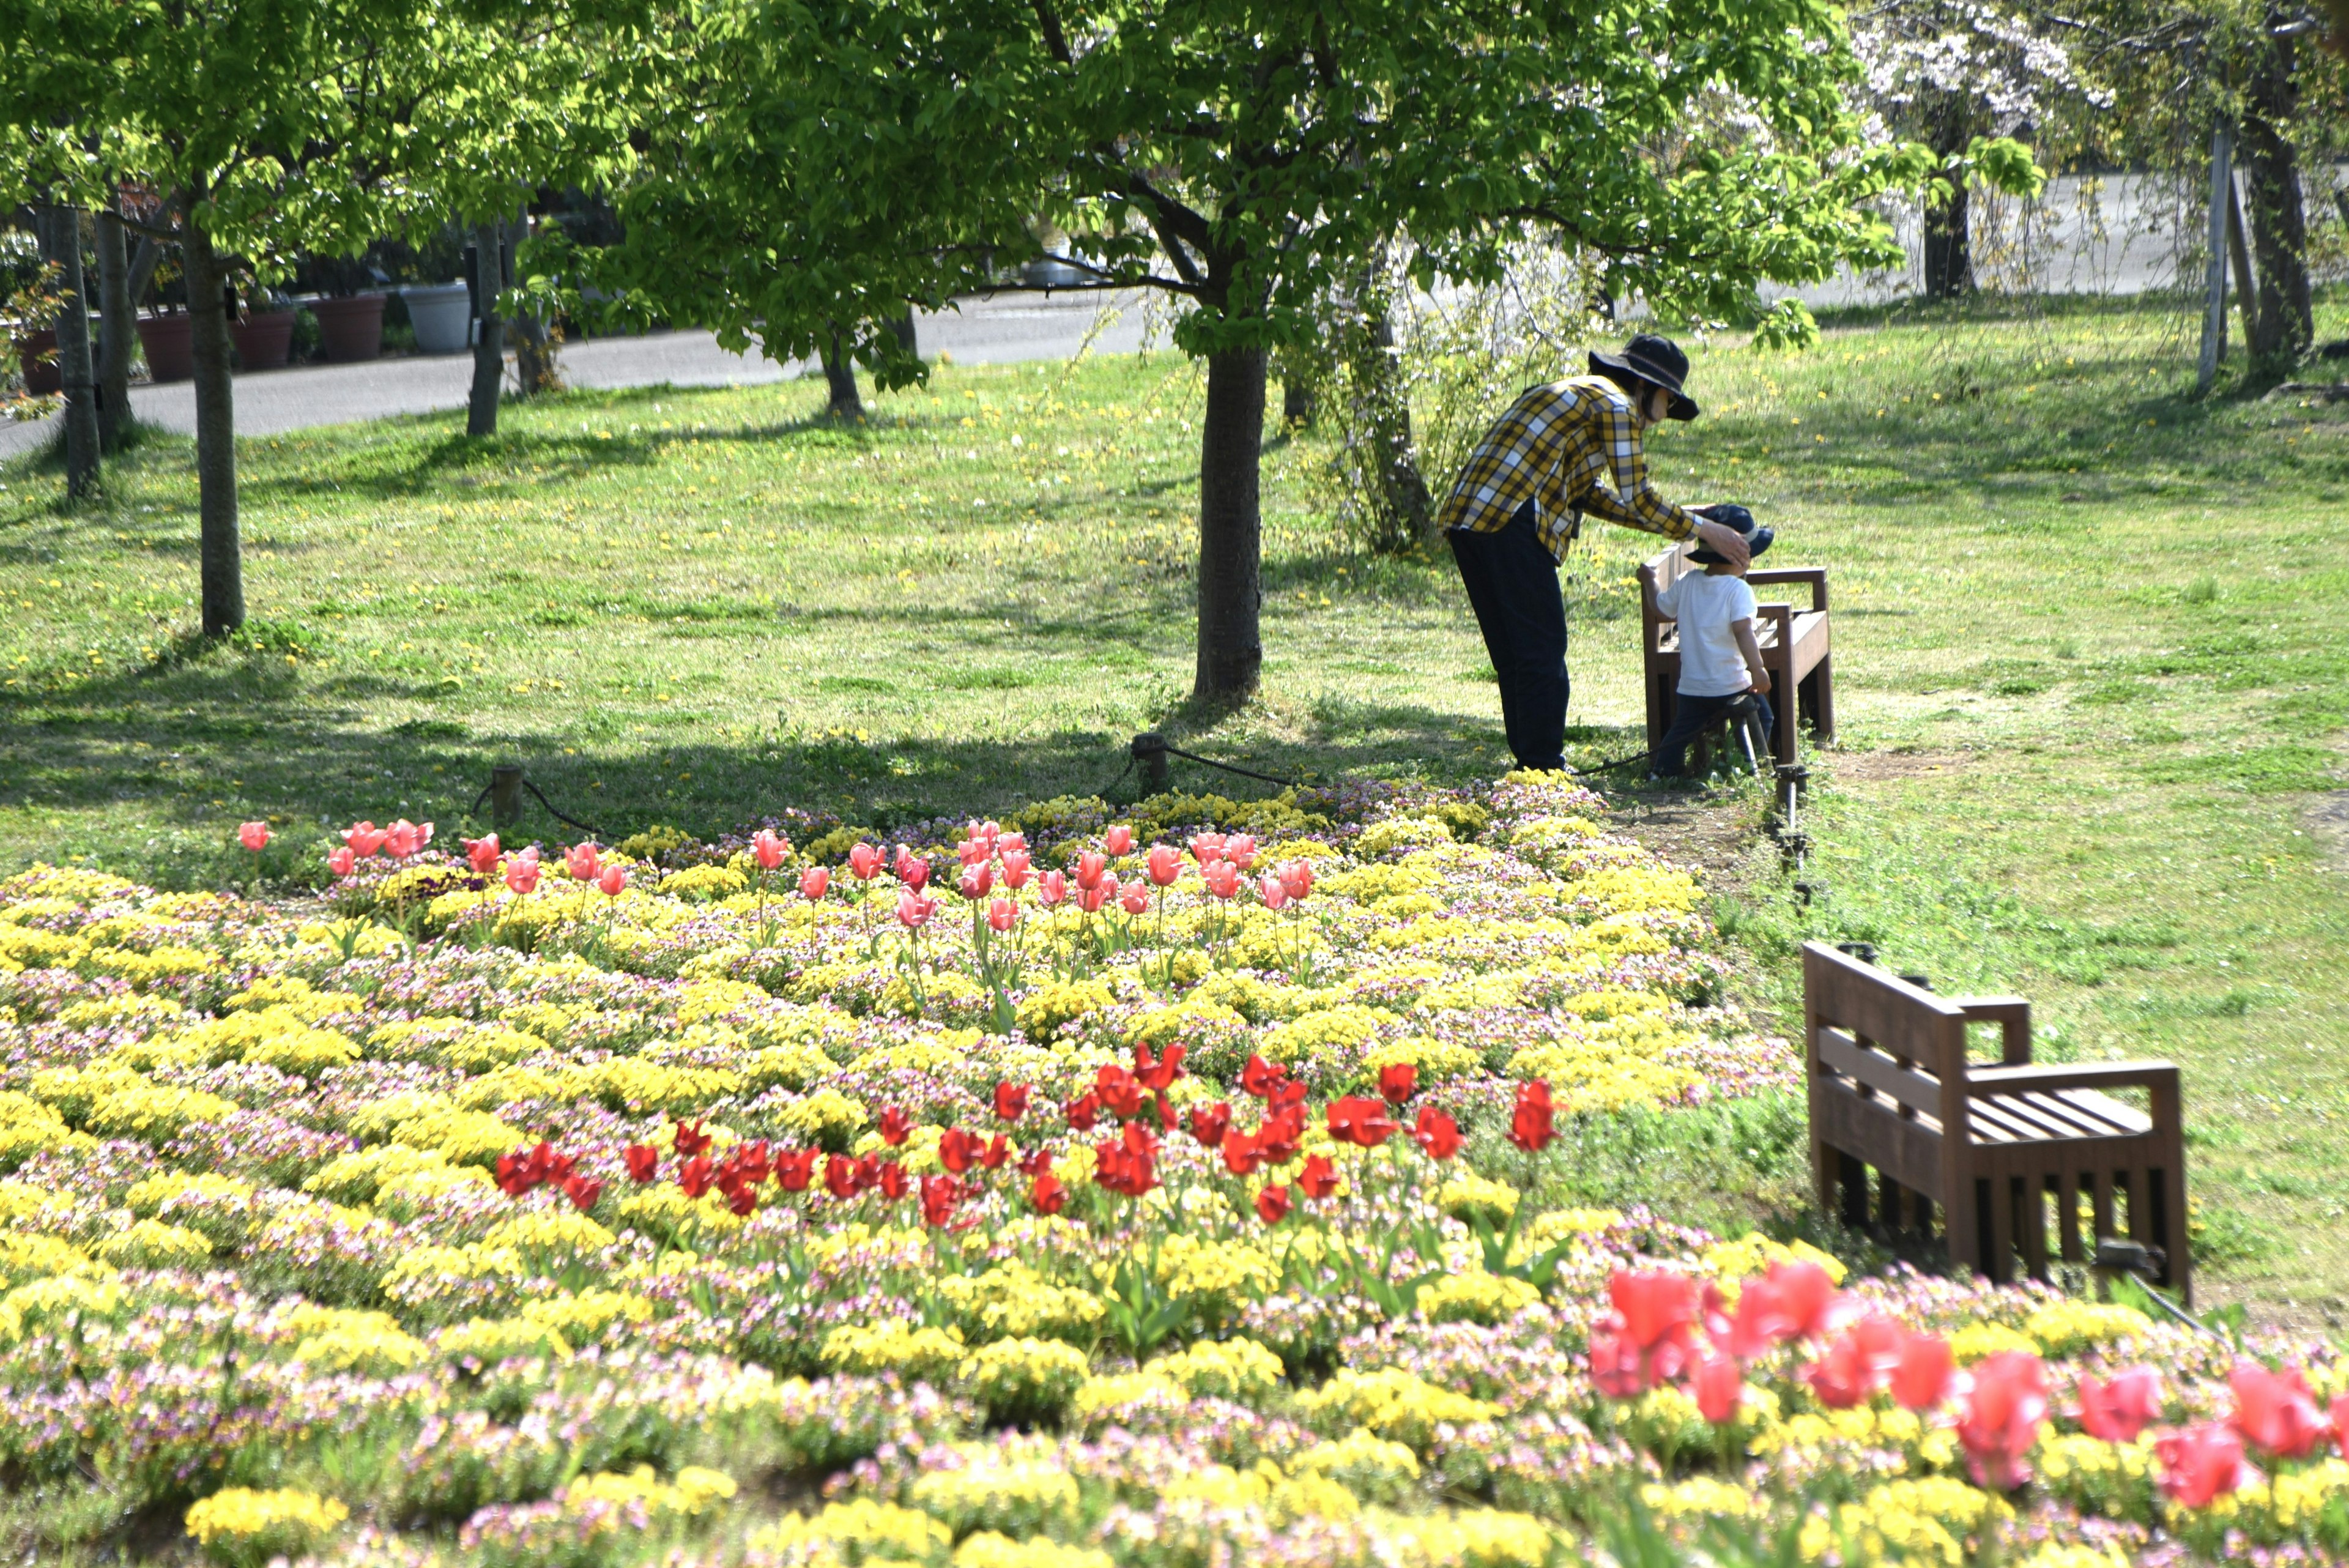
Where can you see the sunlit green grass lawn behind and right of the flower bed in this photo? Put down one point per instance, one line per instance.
(2089, 643)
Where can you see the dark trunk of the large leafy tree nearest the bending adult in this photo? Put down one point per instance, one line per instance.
(1230, 530)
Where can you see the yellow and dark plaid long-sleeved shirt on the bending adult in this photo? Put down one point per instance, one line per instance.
(1573, 448)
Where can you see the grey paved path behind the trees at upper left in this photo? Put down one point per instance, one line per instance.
(983, 333)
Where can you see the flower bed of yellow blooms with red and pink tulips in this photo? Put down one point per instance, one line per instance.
(1166, 1198)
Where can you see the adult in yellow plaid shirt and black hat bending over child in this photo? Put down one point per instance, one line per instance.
(1563, 450)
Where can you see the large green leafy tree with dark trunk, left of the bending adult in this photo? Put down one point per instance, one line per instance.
(826, 163)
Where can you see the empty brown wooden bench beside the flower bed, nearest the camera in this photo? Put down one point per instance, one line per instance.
(1894, 1092)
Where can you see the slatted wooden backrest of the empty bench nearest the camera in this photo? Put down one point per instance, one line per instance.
(1880, 1031)
